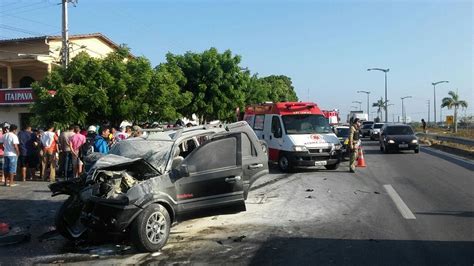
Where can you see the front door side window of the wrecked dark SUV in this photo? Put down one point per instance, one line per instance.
(216, 154)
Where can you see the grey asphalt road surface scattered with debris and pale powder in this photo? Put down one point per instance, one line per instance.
(403, 209)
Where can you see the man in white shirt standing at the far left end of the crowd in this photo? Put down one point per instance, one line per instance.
(11, 152)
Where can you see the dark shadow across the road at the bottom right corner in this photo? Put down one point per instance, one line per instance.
(314, 251)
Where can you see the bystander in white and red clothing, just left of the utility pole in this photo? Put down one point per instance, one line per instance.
(49, 141)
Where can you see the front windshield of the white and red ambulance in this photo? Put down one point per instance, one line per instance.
(306, 124)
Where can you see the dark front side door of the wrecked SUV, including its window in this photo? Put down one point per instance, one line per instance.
(215, 175)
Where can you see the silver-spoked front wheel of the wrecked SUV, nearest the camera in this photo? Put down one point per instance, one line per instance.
(151, 229)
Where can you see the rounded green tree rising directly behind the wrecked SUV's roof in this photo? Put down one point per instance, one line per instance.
(216, 82)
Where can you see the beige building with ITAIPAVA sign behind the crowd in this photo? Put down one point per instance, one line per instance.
(25, 60)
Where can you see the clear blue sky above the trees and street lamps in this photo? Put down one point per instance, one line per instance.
(324, 46)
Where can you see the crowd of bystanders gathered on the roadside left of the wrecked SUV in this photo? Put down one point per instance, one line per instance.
(35, 154)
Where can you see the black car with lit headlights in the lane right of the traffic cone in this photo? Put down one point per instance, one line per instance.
(394, 137)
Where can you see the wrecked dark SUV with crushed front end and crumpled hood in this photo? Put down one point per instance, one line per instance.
(146, 183)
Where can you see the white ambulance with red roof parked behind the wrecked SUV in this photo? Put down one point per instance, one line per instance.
(297, 134)
